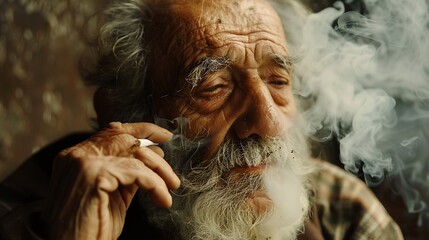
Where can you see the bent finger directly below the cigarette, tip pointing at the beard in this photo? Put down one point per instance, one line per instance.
(158, 165)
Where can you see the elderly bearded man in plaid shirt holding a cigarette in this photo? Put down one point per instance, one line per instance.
(219, 75)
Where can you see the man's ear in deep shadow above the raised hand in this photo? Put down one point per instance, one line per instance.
(103, 107)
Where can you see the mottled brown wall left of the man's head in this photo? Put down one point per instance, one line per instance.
(41, 94)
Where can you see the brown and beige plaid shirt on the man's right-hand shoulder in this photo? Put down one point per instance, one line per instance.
(347, 208)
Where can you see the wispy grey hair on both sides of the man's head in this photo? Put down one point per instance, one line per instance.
(124, 55)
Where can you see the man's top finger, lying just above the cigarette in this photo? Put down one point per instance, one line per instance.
(142, 130)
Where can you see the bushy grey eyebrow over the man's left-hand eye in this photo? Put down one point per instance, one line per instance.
(206, 66)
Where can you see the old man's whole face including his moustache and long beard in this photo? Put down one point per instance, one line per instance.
(224, 66)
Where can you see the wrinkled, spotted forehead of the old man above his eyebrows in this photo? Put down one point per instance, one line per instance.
(194, 25)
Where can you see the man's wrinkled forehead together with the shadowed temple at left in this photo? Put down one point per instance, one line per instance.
(190, 30)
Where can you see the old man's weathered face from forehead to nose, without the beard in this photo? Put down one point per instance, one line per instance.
(229, 66)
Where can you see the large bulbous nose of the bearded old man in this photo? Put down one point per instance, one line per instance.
(262, 116)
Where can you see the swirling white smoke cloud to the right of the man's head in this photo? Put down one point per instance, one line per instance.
(366, 83)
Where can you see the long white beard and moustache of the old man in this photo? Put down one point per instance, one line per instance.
(213, 205)
